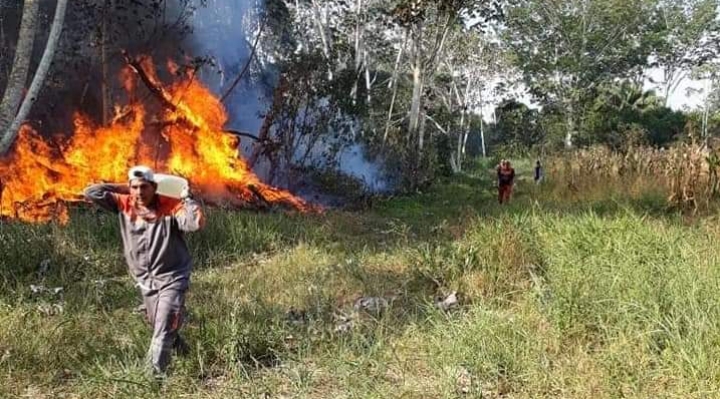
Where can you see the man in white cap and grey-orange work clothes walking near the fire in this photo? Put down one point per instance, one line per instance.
(152, 227)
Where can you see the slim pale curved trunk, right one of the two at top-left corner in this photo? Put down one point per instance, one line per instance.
(39, 77)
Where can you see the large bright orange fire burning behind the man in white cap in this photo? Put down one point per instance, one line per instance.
(39, 177)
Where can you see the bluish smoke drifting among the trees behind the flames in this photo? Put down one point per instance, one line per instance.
(225, 30)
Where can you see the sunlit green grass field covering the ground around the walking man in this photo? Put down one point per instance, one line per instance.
(602, 294)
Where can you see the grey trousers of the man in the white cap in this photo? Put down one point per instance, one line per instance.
(164, 313)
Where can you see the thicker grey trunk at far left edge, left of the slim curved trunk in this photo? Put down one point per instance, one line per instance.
(21, 64)
